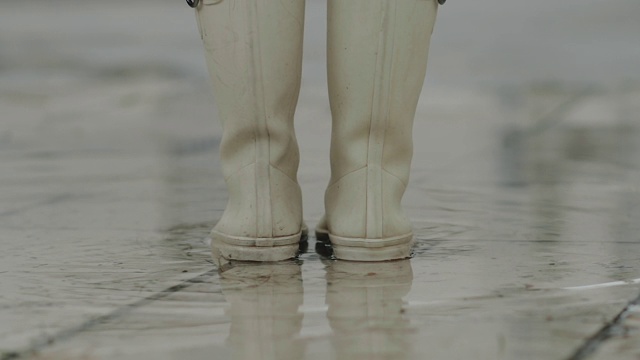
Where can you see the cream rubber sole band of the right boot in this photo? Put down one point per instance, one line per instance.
(360, 249)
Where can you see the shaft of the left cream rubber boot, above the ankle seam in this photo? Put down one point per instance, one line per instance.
(254, 55)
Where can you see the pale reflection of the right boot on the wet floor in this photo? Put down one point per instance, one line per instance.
(366, 309)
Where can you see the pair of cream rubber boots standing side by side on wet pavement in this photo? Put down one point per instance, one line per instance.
(377, 57)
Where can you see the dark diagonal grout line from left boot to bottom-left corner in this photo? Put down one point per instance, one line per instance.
(46, 341)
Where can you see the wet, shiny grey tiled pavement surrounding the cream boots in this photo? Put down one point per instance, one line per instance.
(525, 195)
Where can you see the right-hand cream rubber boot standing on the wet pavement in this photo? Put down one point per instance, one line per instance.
(377, 58)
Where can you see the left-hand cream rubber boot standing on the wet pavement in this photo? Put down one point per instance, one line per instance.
(254, 55)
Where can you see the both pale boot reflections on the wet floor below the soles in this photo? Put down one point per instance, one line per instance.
(365, 310)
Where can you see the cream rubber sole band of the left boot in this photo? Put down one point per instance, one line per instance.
(257, 249)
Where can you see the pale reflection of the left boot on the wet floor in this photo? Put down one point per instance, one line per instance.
(264, 301)
